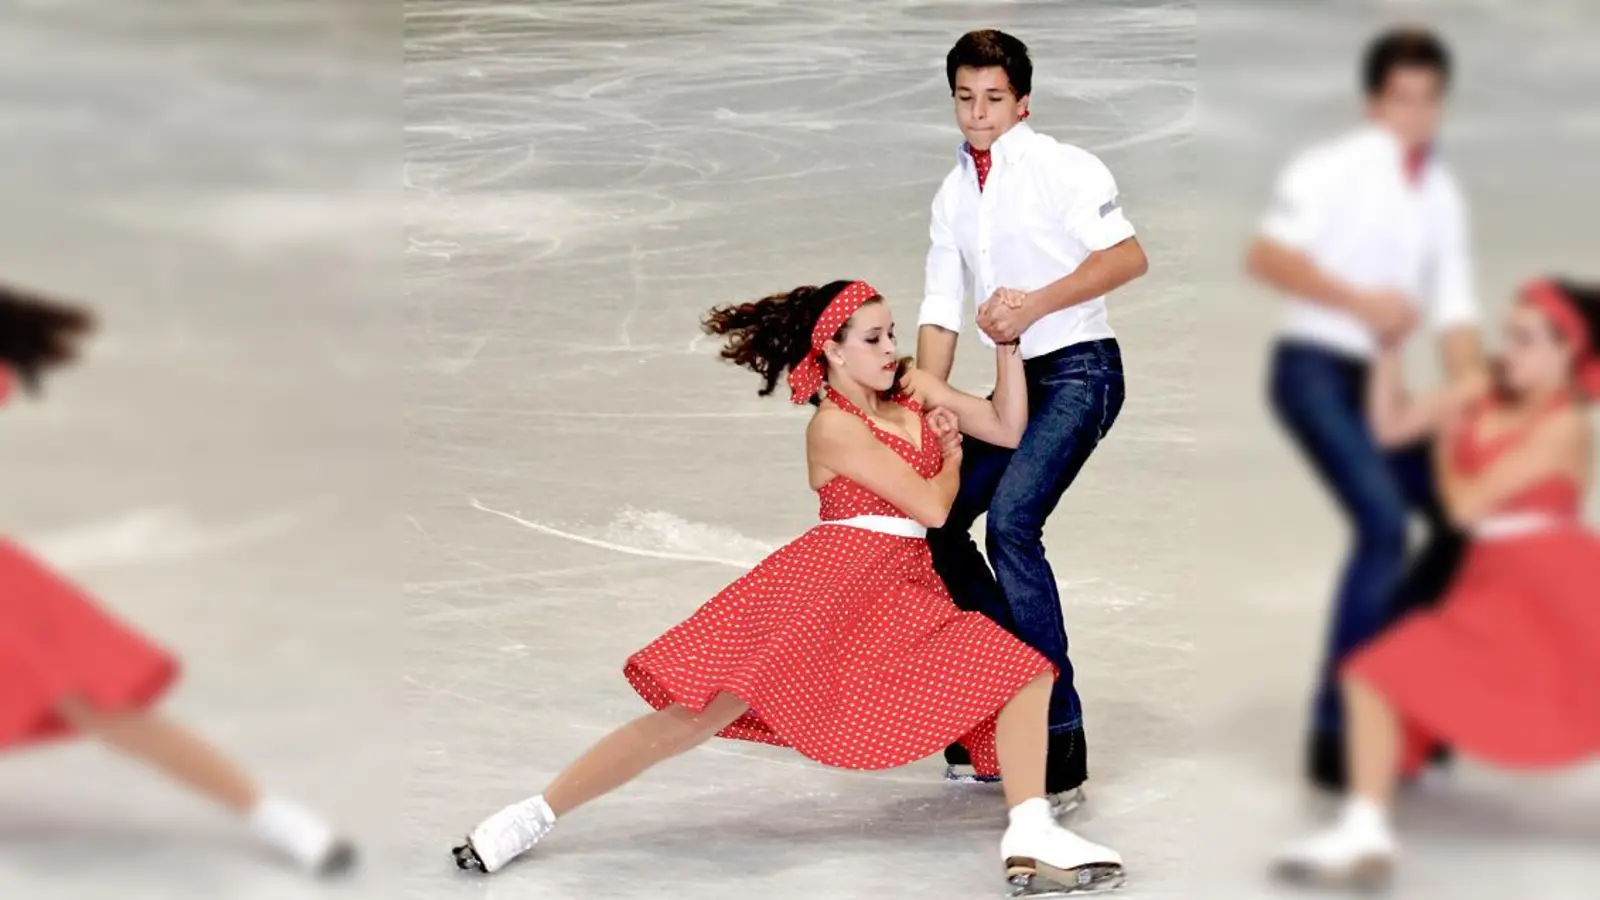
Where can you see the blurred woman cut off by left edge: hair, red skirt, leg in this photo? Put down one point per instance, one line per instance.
(71, 669)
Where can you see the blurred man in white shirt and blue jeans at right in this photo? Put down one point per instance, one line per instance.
(1366, 235)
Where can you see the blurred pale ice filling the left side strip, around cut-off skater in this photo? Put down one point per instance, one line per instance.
(222, 470)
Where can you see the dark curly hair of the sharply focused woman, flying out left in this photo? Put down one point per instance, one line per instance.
(772, 335)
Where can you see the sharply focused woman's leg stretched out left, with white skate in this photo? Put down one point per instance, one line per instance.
(617, 760)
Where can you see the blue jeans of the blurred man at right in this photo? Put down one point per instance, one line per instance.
(1321, 400)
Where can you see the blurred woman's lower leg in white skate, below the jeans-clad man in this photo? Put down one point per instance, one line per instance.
(1359, 850)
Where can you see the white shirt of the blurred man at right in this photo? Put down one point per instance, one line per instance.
(1350, 206)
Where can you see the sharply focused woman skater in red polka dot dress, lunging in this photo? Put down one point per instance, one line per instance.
(846, 645)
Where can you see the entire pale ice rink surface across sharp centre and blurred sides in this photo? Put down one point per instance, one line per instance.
(574, 472)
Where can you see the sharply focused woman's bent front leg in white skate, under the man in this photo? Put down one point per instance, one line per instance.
(1036, 846)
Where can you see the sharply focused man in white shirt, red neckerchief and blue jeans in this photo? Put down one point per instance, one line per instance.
(1033, 230)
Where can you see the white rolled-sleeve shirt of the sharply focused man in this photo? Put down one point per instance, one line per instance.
(1044, 209)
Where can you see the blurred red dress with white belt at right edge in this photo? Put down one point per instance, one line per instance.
(1508, 665)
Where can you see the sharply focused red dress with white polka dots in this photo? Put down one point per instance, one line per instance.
(846, 643)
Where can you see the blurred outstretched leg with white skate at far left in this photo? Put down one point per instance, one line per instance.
(196, 765)
